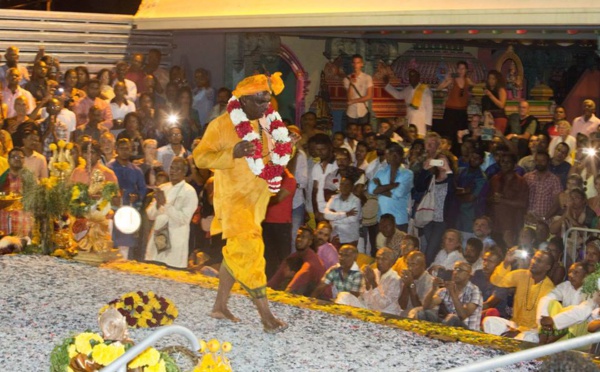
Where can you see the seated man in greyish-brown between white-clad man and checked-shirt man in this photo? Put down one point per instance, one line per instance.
(415, 283)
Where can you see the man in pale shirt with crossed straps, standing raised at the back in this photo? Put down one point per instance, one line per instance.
(359, 87)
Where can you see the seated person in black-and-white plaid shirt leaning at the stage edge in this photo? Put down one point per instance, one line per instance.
(344, 277)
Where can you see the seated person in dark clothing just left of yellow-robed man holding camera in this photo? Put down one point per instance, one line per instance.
(494, 298)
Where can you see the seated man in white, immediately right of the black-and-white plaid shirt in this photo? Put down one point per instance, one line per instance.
(382, 287)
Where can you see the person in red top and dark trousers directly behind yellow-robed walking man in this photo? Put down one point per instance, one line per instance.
(277, 226)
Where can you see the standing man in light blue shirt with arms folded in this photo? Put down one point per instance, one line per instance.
(392, 185)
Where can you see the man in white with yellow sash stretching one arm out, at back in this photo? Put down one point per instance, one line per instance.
(418, 99)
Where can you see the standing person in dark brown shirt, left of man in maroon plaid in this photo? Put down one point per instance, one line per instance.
(508, 199)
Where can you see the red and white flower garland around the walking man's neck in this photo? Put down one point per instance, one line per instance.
(270, 172)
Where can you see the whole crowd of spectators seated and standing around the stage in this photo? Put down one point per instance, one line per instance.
(459, 221)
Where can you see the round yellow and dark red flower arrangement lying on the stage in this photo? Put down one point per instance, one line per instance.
(144, 310)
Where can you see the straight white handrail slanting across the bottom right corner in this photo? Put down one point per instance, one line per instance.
(529, 354)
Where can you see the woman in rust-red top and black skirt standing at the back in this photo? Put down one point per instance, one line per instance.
(455, 112)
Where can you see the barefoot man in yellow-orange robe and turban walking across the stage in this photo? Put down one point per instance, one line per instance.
(240, 197)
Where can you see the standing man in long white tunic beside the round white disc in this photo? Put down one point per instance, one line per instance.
(173, 205)
